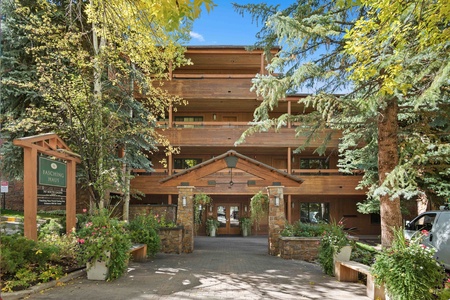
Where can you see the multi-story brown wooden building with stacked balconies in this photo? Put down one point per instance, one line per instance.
(217, 87)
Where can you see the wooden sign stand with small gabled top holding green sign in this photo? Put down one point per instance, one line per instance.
(52, 173)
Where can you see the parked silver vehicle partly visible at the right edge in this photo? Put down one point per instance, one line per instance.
(437, 223)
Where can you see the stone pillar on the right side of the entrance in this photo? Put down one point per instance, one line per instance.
(277, 218)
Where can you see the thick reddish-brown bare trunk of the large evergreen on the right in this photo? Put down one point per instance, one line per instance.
(387, 160)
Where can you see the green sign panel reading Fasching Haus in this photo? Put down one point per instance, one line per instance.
(51, 172)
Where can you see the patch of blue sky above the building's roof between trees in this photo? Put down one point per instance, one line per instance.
(224, 26)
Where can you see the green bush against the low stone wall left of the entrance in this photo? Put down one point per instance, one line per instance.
(144, 230)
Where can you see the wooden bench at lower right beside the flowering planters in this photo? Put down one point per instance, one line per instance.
(348, 271)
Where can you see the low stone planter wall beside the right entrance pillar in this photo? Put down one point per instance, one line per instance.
(301, 248)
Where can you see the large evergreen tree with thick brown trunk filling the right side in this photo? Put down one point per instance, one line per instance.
(395, 90)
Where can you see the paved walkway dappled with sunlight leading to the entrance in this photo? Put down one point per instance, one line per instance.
(219, 268)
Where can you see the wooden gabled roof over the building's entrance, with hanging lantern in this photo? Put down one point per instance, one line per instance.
(257, 173)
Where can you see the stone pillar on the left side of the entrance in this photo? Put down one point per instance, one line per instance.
(185, 216)
